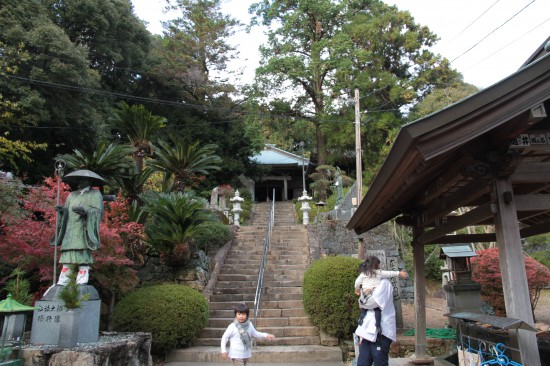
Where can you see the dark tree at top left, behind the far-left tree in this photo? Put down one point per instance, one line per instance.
(117, 40)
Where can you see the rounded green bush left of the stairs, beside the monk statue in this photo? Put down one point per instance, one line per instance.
(173, 314)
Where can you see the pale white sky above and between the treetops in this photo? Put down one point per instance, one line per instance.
(485, 40)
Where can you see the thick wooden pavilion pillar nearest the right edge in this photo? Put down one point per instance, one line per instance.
(512, 268)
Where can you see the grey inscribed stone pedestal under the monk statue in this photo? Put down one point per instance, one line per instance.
(46, 321)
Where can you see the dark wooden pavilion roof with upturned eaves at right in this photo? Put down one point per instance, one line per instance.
(438, 174)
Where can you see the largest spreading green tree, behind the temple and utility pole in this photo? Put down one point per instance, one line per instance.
(319, 51)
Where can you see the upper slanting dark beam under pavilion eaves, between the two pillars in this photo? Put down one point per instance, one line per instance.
(461, 198)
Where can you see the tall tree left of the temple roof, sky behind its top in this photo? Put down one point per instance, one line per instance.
(182, 67)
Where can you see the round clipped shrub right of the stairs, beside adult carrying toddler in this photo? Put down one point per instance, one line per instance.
(329, 296)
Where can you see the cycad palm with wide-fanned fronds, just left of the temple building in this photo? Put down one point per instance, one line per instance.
(182, 161)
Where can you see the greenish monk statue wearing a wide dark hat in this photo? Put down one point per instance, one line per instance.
(78, 225)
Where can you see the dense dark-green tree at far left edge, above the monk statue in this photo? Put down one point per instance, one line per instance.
(51, 85)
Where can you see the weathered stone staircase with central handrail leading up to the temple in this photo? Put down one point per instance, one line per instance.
(282, 313)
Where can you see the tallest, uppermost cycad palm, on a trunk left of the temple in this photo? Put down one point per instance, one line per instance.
(140, 126)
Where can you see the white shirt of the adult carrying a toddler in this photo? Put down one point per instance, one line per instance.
(383, 296)
